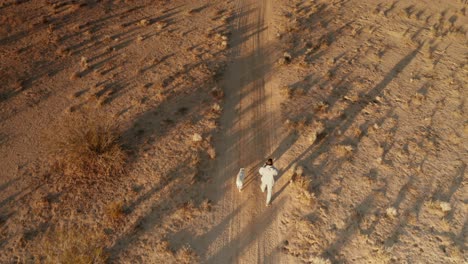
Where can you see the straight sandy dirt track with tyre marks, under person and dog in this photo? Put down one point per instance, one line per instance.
(245, 230)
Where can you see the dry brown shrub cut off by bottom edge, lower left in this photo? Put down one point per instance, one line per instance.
(73, 246)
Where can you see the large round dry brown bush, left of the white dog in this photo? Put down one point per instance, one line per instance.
(91, 149)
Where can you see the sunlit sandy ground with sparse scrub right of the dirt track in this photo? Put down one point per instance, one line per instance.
(377, 110)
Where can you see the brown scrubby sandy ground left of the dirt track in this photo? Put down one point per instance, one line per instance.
(148, 66)
